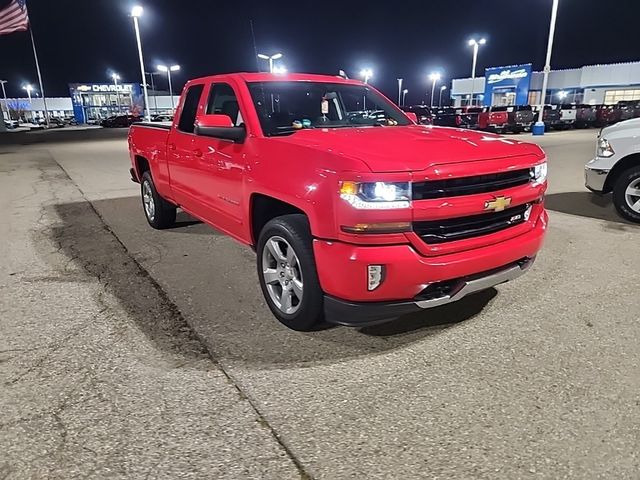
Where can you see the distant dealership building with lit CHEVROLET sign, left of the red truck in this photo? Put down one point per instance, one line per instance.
(92, 102)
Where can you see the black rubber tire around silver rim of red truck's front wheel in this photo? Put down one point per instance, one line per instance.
(294, 229)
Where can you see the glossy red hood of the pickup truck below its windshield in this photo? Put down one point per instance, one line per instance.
(411, 148)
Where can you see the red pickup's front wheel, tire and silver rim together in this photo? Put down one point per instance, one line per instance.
(287, 272)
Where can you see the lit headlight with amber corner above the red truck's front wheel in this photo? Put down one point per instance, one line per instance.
(376, 195)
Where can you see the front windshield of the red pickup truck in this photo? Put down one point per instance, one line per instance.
(286, 107)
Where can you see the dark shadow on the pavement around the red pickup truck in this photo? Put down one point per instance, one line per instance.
(177, 295)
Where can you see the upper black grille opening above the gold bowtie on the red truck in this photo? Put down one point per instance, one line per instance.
(455, 187)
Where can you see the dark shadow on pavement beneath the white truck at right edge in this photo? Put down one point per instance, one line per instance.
(584, 204)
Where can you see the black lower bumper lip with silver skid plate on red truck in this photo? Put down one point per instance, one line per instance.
(358, 314)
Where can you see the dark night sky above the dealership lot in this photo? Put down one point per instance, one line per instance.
(82, 41)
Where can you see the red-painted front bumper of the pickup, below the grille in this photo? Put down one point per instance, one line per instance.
(342, 270)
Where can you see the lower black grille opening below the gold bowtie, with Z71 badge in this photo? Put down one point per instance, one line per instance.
(451, 229)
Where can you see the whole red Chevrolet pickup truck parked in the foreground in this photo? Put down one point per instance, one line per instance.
(357, 214)
